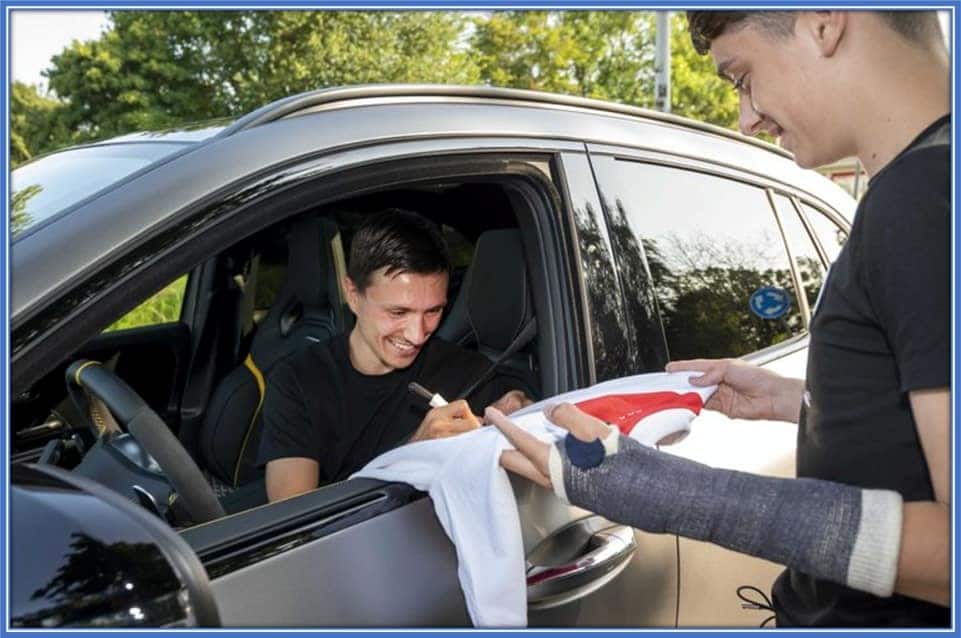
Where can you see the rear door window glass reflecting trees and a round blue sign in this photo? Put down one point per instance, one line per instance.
(716, 256)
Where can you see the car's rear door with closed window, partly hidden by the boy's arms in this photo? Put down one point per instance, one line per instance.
(713, 239)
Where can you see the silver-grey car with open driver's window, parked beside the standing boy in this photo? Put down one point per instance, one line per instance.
(170, 258)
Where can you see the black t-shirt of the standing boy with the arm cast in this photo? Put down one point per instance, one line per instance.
(880, 330)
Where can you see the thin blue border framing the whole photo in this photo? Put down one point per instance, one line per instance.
(6, 6)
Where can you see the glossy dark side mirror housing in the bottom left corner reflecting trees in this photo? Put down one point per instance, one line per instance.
(96, 559)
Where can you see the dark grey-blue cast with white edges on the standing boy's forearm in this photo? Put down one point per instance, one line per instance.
(827, 530)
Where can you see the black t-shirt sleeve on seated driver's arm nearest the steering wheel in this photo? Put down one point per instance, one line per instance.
(287, 431)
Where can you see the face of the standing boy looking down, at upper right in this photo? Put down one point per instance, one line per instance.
(781, 86)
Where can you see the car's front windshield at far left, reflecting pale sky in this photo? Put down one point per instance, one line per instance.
(42, 188)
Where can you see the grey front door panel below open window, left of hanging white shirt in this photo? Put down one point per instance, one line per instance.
(405, 576)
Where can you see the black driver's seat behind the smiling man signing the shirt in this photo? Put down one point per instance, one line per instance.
(493, 311)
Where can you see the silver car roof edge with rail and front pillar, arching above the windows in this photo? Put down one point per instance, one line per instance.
(310, 125)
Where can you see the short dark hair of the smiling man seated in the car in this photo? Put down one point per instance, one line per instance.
(399, 240)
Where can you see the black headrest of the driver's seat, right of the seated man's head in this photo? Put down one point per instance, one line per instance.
(498, 291)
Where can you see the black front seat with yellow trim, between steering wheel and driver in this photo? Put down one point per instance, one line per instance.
(307, 309)
